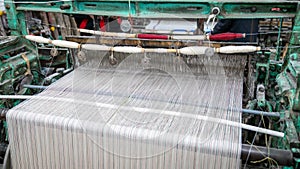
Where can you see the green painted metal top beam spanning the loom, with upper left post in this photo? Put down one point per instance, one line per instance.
(152, 9)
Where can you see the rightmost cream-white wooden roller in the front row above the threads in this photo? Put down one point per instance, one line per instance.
(237, 49)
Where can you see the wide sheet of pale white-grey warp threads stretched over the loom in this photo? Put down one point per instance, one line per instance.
(130, 117)
